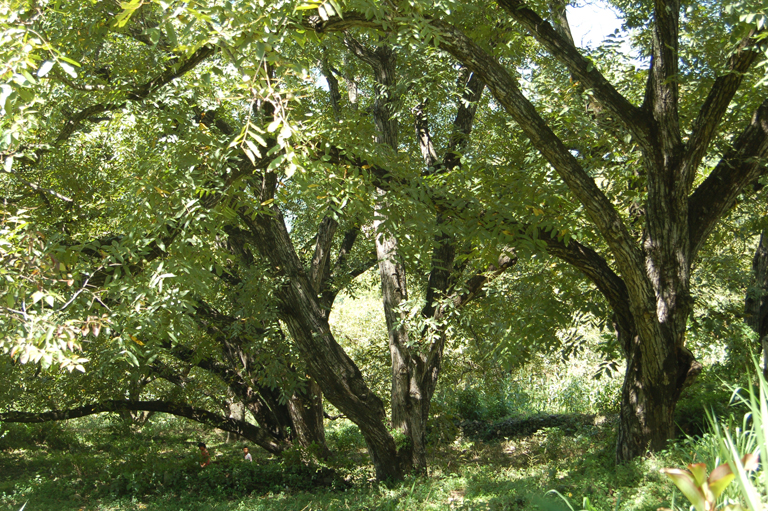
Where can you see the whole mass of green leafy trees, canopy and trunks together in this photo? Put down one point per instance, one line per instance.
(190, 189)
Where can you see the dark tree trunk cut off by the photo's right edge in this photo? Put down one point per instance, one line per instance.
(756, 303)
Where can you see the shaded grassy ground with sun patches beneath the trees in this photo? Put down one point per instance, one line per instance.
(92, 464)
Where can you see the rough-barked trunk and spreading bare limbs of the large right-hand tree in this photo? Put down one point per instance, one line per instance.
(652, 297)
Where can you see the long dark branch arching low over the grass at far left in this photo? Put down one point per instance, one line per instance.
(242, 428)
